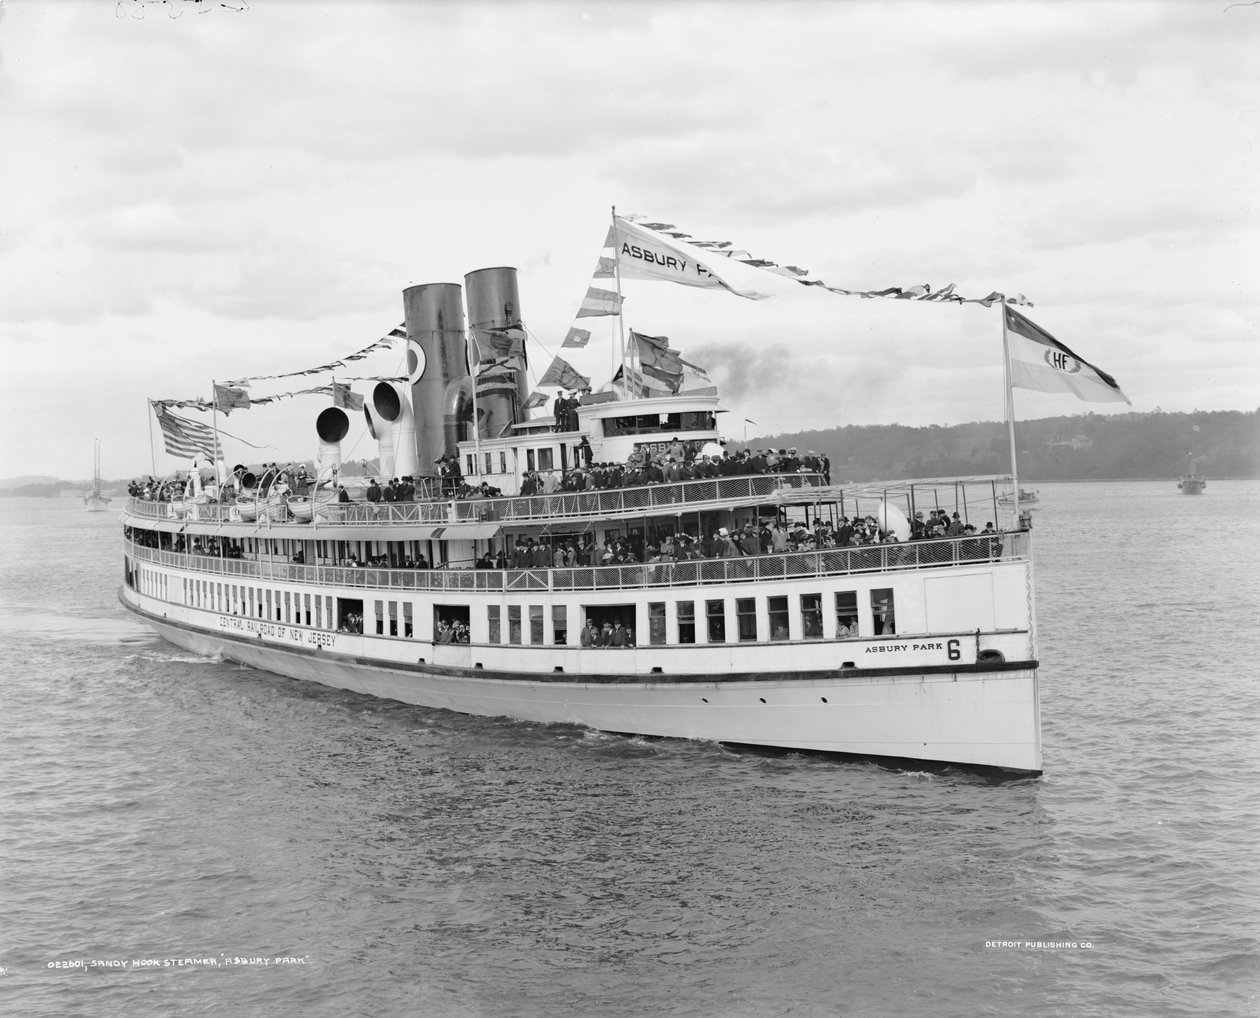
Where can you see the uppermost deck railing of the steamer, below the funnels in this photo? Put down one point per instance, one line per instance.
(613, 502)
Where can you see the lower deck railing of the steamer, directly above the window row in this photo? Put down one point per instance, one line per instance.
(915, 555)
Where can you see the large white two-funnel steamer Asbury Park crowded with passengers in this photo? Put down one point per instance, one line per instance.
(609, 566)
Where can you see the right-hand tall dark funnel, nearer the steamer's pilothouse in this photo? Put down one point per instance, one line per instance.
(495, 314)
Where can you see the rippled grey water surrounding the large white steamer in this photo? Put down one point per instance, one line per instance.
(162, 808)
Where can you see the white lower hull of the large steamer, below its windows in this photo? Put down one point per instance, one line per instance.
(975, 715)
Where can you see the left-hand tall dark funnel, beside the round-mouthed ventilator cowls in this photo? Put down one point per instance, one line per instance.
(438, 361)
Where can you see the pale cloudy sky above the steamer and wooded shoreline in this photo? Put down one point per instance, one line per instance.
(192, 192)
